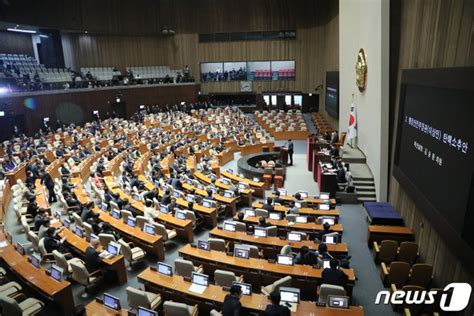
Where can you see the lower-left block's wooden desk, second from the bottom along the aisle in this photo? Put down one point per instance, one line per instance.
(116, 263)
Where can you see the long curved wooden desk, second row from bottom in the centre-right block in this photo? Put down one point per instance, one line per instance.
(259, 272)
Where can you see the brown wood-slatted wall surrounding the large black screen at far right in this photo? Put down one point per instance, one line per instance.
(433, 34)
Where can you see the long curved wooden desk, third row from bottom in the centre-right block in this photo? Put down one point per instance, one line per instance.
(271, 246)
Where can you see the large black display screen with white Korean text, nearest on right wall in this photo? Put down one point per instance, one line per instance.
(434, 155)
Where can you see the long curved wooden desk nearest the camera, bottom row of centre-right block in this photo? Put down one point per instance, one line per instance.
(176, 288)
